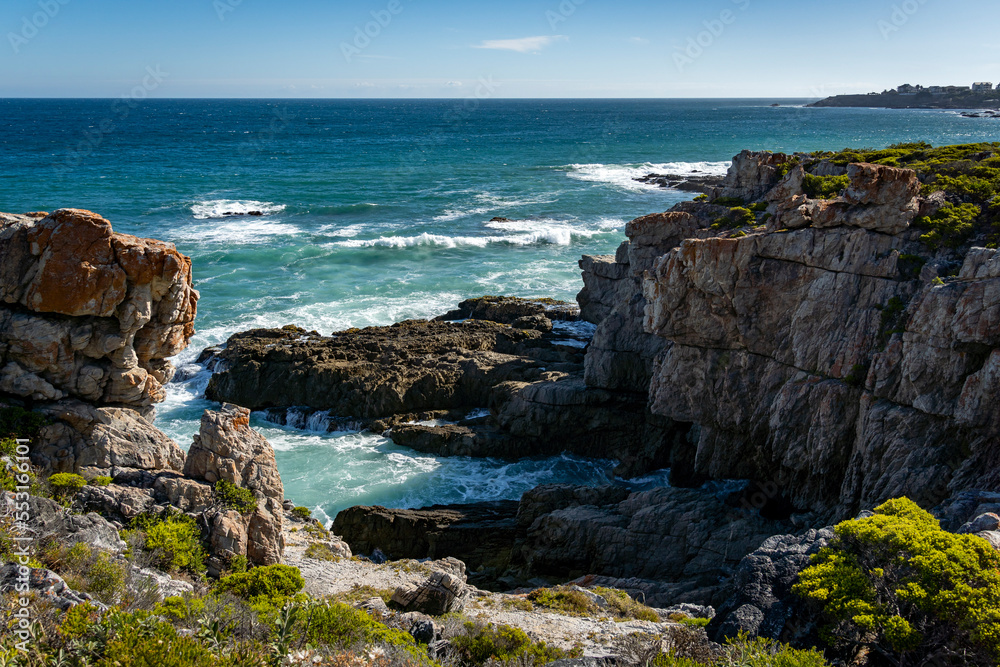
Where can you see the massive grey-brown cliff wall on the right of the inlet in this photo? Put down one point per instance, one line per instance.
(806, 349)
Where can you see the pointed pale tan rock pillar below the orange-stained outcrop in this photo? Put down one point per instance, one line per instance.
(227, 449)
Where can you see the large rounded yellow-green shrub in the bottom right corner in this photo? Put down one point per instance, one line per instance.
(899, 585)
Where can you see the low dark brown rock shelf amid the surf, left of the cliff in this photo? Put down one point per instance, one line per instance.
(375, 373)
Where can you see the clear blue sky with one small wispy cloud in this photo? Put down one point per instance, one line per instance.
(514, 48)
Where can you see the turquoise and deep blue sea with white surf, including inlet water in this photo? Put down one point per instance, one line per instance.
(377, 211)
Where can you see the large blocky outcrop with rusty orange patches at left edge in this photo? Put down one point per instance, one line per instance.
(87, 313)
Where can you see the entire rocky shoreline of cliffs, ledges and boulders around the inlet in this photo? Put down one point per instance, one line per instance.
(794, 358)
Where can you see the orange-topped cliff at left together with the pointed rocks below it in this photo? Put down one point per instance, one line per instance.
(88, 319)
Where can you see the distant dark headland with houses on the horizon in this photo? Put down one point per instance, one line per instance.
(980, 95)
